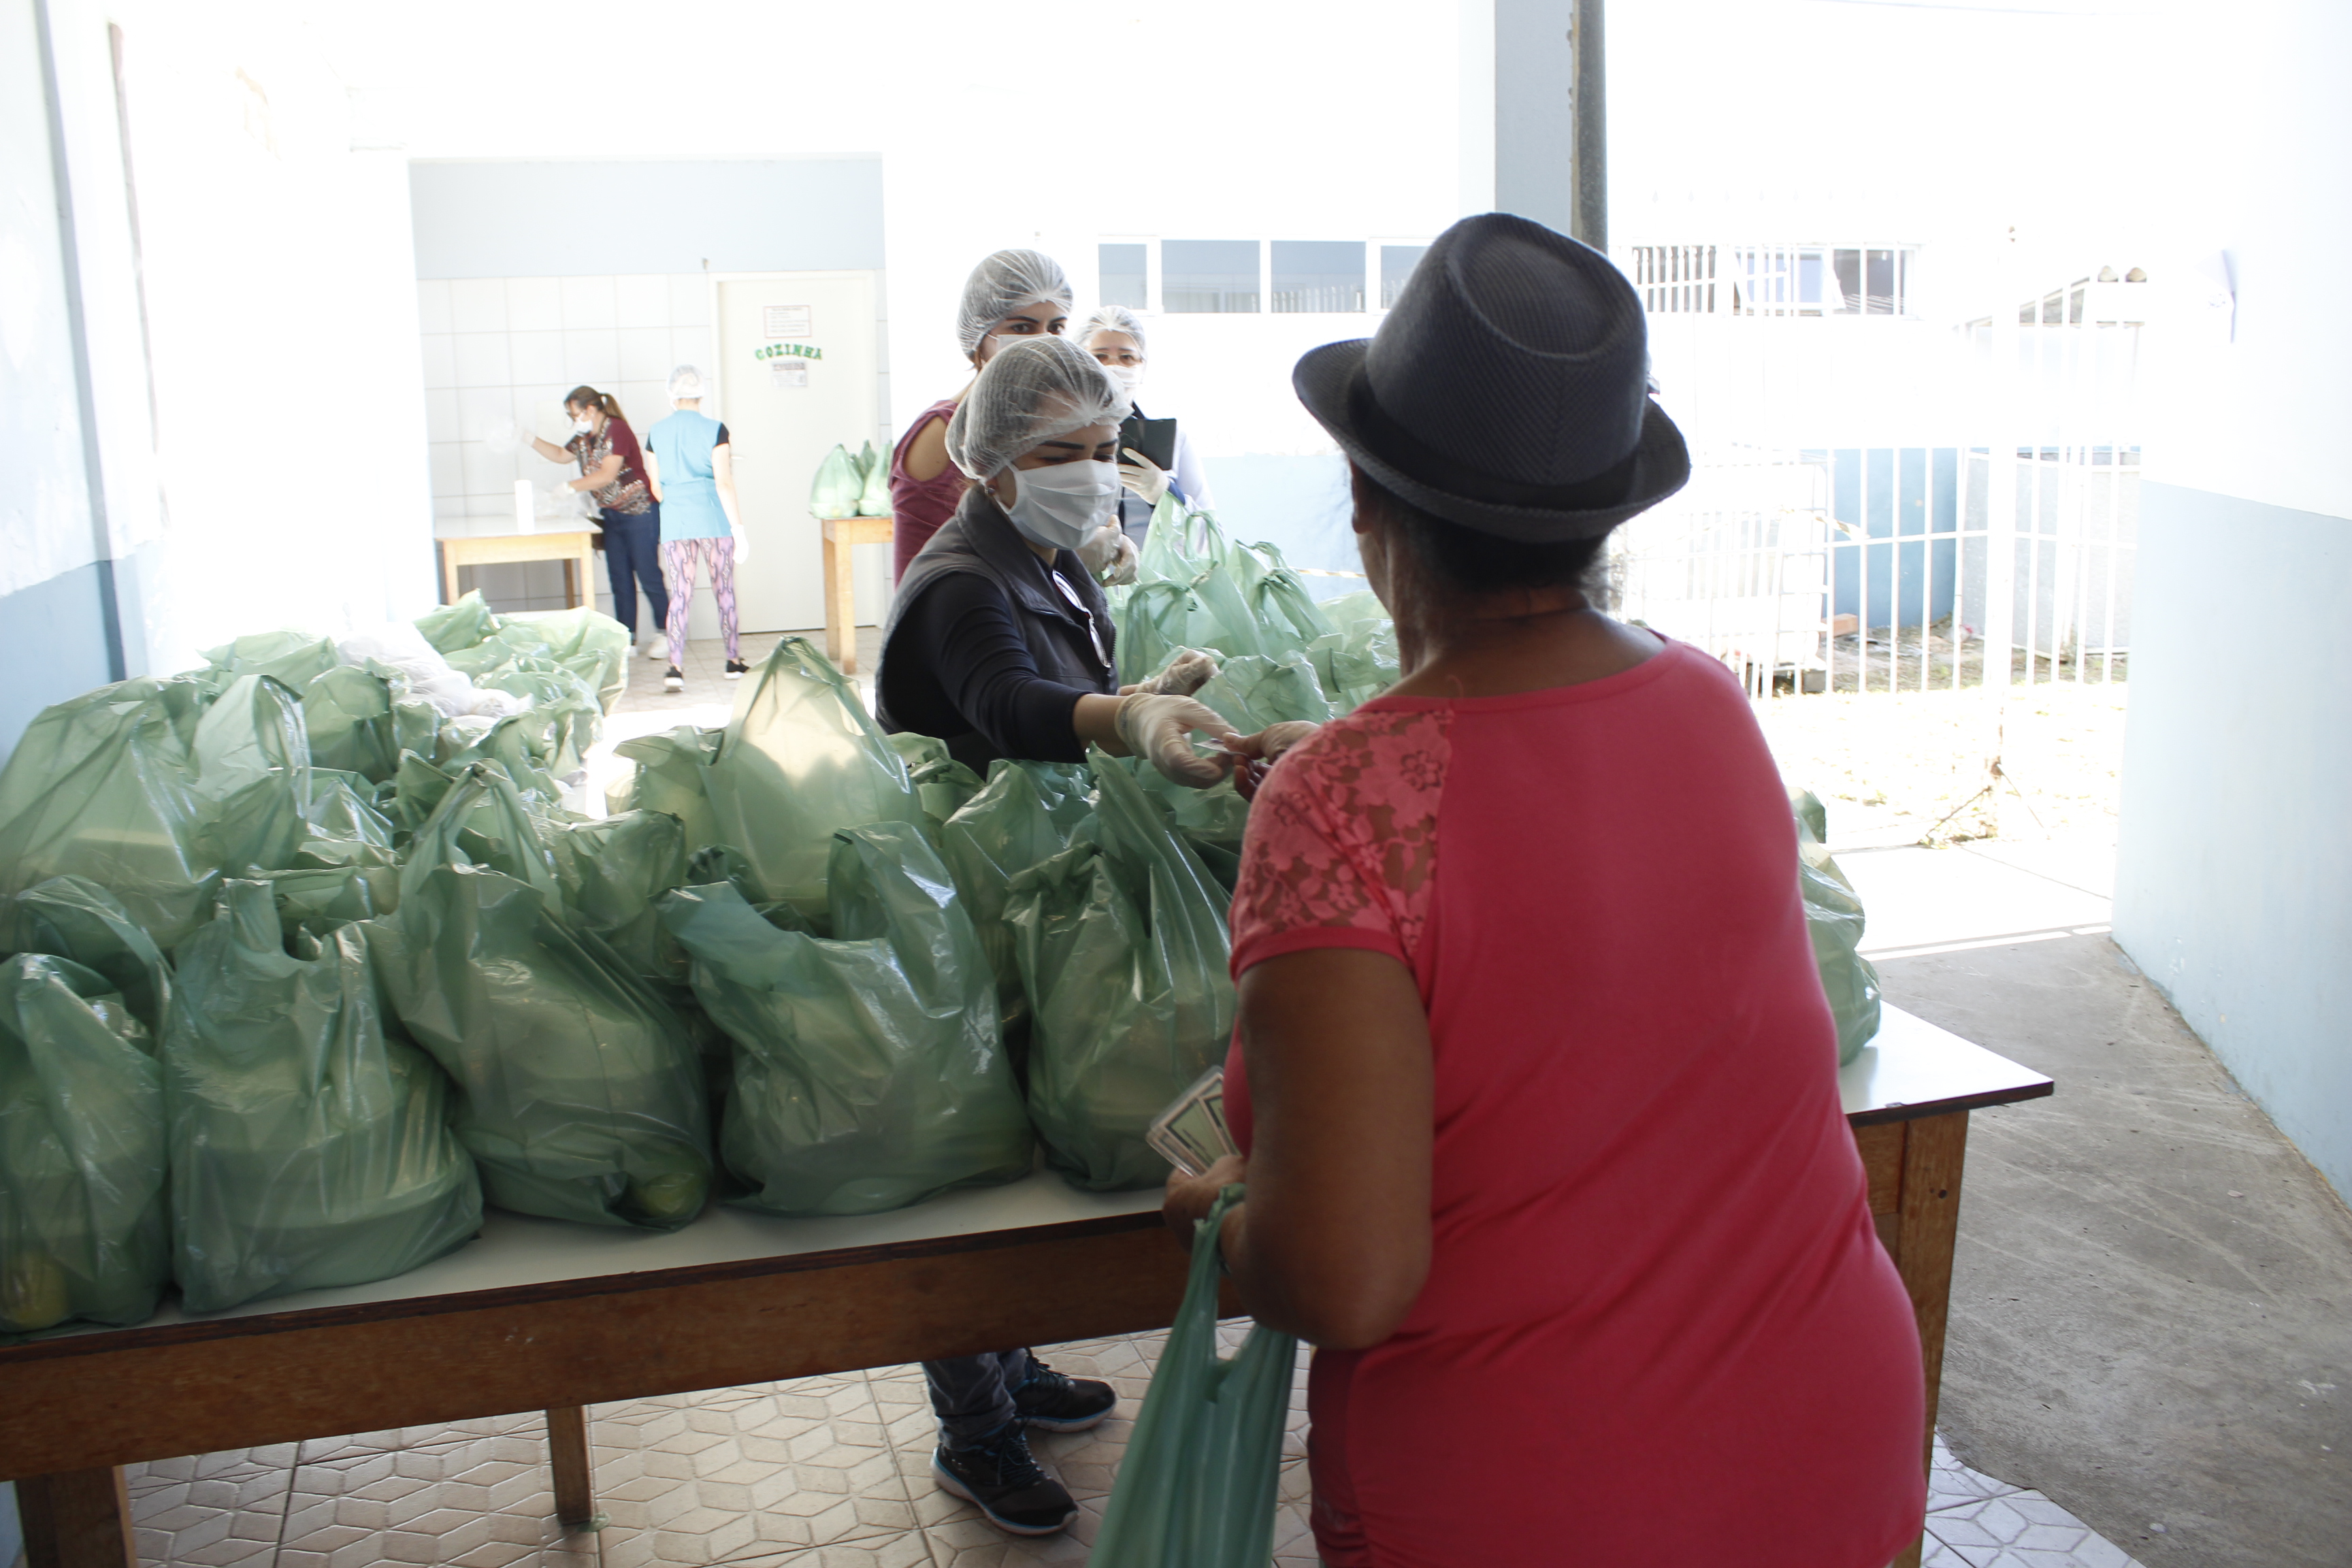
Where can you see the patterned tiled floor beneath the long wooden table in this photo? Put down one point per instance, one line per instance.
(820, 1473)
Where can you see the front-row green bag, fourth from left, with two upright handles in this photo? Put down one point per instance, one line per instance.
(869, 1073)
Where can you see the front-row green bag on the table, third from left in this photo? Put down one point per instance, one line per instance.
(580, 1092)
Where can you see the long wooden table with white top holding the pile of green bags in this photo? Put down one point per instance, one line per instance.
(554, 1318)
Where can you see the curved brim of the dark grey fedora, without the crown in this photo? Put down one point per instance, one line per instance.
(1662, 464)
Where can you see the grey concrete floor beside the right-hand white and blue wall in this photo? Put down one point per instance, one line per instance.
(2153, 1292)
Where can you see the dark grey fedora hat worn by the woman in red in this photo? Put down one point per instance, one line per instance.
(1506, 391)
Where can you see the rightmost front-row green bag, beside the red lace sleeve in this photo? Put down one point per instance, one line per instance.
(1123, 956)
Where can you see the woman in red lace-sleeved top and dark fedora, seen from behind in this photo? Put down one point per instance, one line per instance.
(1535, 1073)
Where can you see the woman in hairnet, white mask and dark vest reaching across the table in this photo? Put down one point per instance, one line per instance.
(1001, 645)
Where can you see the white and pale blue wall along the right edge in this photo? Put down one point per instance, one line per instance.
(2236, 850)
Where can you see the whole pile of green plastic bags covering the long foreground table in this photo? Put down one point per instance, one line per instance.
(305, 960)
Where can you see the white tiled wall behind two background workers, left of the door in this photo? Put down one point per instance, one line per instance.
(512, 349)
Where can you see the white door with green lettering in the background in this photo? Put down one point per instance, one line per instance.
(801, 373)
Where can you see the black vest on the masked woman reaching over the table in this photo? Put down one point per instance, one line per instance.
(982, 542)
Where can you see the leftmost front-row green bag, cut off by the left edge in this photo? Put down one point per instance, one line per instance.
(83, 1231)
